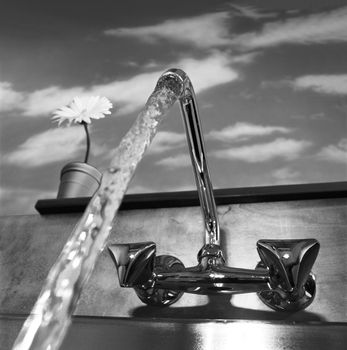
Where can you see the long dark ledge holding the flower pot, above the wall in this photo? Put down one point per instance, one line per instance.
(190, 198)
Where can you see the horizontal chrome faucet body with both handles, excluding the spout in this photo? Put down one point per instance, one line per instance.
(282, 279)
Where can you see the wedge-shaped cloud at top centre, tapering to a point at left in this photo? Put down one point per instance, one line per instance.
(206, 31)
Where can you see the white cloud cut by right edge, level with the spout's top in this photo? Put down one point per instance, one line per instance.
(326, 84)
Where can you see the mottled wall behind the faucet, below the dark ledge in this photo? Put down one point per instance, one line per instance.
(30, 244)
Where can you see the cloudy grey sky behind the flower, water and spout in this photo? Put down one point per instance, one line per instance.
(270, 78)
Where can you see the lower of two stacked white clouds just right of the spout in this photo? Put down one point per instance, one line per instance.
(288, 149)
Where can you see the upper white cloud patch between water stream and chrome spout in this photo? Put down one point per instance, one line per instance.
(165, 141)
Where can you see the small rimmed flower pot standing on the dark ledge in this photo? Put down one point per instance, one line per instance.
(78, 180)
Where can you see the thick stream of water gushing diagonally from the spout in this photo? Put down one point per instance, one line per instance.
(50, 318)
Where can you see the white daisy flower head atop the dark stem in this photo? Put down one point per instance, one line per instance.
(83, 109)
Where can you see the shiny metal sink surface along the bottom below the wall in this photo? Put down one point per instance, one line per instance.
(90, 333)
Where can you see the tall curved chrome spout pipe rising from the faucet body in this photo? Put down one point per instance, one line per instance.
(179, 82)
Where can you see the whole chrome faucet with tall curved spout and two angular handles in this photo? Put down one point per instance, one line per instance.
(282, 279)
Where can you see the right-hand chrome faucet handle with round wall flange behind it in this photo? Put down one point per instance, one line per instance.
(289, 263)
